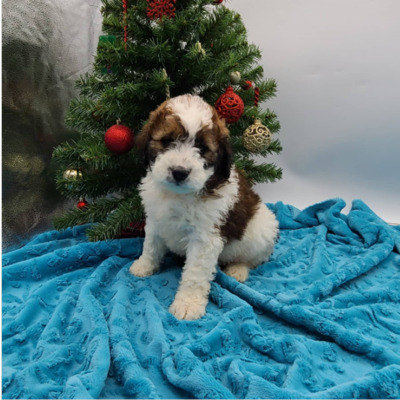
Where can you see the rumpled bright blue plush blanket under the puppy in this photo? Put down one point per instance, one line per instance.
(320, 320)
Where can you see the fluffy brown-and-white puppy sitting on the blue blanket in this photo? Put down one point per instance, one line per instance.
(197, 205)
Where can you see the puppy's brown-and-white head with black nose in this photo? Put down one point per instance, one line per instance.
(186, 145)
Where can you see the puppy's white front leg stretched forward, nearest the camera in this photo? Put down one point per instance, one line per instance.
(201, 261)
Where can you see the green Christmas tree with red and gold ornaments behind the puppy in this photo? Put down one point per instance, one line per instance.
(152, 50)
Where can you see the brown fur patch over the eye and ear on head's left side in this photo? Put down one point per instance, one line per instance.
(162, 128)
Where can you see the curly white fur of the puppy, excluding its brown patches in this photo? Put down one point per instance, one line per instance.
(181, 219)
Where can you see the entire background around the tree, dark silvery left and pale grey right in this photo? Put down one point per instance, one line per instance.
(337, 64)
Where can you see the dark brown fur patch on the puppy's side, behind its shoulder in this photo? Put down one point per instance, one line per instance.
(241, 213)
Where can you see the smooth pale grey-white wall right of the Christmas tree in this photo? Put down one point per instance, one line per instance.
(337, 63)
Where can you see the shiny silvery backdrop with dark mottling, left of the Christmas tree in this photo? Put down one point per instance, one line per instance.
(47, 44)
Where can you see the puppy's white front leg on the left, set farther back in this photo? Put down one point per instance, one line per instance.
(154, 250)
